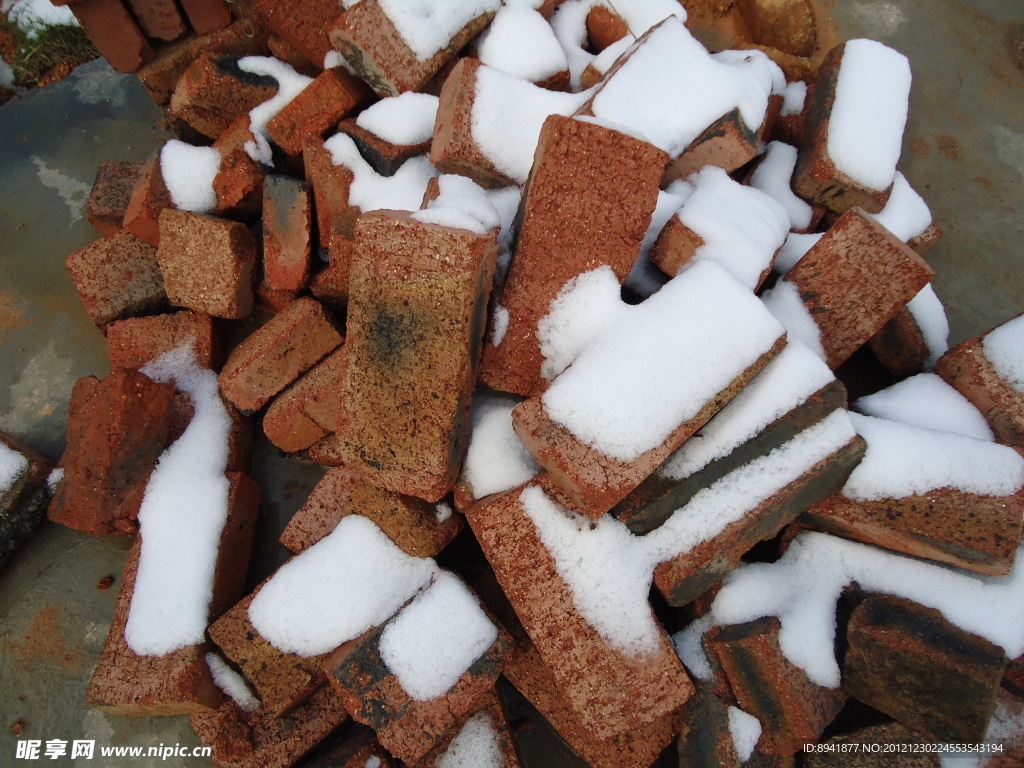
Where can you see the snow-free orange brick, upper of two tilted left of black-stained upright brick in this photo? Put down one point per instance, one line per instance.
(278, 354)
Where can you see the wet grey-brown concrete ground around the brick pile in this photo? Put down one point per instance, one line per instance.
(964, 152)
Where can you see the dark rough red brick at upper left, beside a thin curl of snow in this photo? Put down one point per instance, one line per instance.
(215, 92)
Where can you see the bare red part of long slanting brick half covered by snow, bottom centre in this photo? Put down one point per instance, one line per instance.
(610, 693)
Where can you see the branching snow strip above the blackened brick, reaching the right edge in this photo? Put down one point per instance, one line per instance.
(802, 589)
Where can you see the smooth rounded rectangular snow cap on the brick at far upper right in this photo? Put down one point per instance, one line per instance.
(866, 126)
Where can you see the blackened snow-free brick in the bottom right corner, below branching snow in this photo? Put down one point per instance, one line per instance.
(912, 664)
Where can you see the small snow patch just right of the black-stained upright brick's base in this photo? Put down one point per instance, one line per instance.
(496, 460)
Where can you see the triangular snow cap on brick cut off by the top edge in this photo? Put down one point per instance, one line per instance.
(429, 26)
